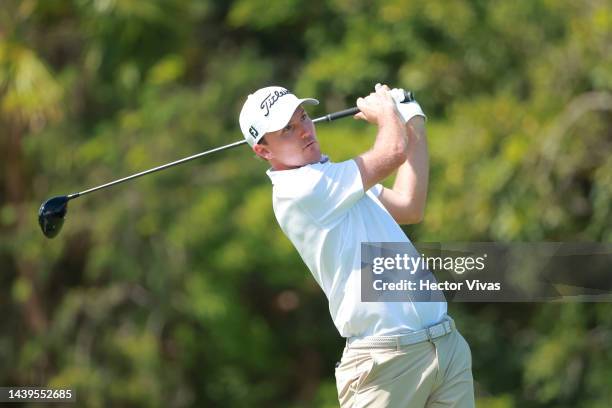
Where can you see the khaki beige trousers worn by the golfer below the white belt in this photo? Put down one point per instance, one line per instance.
(432, 374)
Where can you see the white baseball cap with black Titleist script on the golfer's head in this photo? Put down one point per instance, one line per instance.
(268, 110)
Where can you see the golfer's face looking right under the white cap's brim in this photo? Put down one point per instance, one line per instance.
(293, 146)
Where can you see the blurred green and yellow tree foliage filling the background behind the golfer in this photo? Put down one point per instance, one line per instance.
(180, 290)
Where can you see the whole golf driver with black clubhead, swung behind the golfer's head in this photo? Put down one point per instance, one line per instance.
(52, 212)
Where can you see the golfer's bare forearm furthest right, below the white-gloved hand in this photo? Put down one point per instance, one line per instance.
(412, 176)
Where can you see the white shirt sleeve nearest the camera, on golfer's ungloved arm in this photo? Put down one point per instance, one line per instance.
(335, 188)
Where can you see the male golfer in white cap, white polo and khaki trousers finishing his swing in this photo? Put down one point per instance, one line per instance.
(397, 354)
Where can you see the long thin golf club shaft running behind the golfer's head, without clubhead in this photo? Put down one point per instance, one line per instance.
(326, 118)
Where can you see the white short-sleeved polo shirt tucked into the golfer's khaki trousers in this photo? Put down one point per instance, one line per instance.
(324, 211)
